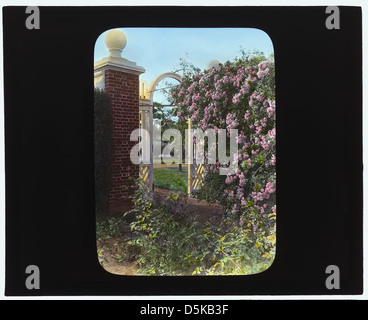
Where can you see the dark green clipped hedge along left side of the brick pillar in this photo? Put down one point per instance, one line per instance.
(103, 147)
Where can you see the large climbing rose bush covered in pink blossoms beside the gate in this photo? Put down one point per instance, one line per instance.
(239, 95)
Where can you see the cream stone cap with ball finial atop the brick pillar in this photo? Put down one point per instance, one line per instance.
(115, 41)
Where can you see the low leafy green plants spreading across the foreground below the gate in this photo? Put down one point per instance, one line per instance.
(178, 244)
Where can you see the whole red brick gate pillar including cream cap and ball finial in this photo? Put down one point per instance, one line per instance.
(120, 78)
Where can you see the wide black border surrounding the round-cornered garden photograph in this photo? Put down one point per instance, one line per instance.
(48, 91)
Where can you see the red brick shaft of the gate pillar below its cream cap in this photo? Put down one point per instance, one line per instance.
(123, 90)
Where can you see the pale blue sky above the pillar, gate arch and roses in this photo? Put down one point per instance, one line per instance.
(159, 50)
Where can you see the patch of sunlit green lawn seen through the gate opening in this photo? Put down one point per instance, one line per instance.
(171, 178)
